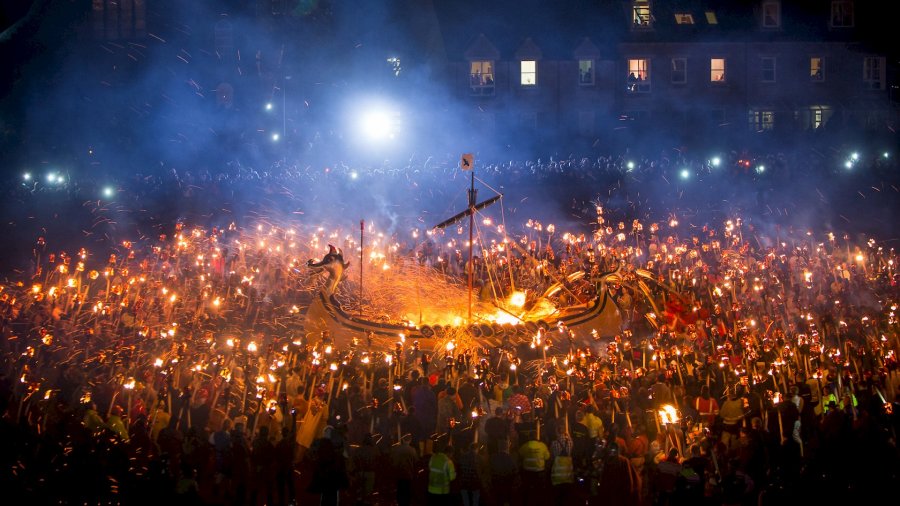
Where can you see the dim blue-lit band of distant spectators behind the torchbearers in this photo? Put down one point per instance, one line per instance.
(731, 173)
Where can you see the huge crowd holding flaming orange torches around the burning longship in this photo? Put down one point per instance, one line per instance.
(754, 365)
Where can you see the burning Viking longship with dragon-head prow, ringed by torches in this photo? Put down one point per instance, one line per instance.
(425, 304)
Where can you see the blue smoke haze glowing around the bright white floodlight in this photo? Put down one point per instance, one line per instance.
(105, 111)
